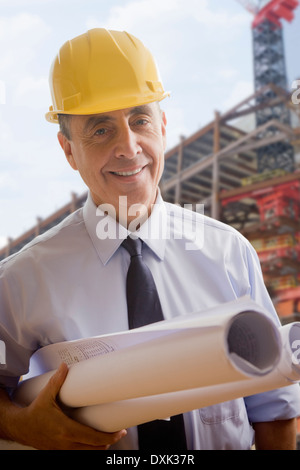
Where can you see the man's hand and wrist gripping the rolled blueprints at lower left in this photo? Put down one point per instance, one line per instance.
(43, 425)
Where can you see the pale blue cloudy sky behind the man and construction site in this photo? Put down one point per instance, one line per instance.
(204, 52)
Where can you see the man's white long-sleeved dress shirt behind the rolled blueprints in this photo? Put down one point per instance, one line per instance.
(69, 283)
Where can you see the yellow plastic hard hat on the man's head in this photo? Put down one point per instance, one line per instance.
(102, 71)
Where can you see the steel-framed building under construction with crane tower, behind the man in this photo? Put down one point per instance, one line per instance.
(244, 166)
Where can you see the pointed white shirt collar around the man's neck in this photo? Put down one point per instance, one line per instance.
(107, 234)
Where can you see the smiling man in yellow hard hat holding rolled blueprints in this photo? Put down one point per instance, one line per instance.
(70, 282)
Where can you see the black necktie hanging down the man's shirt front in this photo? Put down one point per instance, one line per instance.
(143, 308)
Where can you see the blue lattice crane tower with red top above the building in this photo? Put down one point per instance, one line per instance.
(270, 68)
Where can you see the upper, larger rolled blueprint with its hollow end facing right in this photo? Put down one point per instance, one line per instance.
(230, 344)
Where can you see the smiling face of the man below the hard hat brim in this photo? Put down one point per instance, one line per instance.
(119, 153)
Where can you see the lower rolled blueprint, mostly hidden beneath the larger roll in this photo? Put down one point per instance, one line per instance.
(112, 417)
